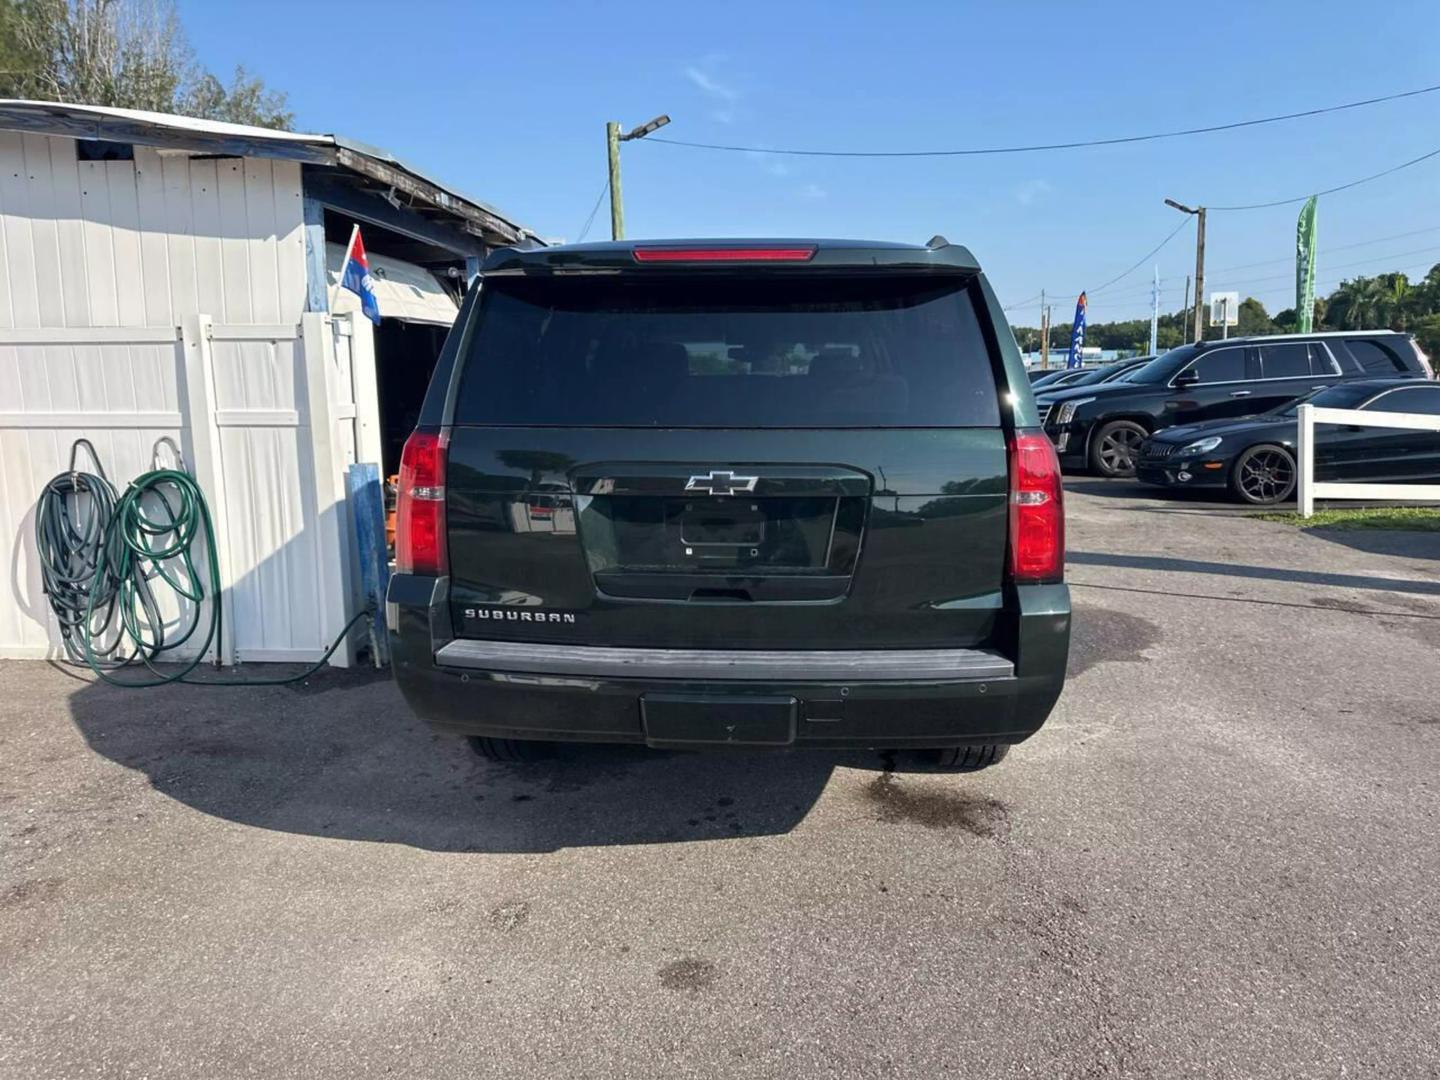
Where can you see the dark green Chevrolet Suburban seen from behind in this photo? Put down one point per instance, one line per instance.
(791, 495)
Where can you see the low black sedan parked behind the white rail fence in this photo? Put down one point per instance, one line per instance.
(1255, 456)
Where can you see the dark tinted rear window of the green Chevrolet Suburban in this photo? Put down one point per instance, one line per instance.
(711, 352)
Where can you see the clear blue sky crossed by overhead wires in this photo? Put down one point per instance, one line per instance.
(508, 102)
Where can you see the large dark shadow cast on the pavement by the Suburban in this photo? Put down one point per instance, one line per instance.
(342, 757)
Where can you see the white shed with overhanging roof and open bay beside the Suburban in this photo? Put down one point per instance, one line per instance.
(168, 277)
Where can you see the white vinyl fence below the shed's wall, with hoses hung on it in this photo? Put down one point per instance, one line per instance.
(266, 417)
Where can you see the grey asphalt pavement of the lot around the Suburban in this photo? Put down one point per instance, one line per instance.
(1219, 859)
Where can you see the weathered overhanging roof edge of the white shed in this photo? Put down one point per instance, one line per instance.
(169, 130)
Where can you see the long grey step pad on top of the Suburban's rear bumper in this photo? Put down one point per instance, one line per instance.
(786, 666)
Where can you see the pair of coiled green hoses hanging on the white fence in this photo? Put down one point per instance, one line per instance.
(103, 561)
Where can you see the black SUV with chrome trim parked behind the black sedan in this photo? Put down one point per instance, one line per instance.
(1102, 427)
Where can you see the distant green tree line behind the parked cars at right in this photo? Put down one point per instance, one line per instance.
(1382, 302)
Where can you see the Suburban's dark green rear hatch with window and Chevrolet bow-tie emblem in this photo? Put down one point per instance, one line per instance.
(741, 460)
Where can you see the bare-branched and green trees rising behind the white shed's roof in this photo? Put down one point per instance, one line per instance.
(123, 54)
